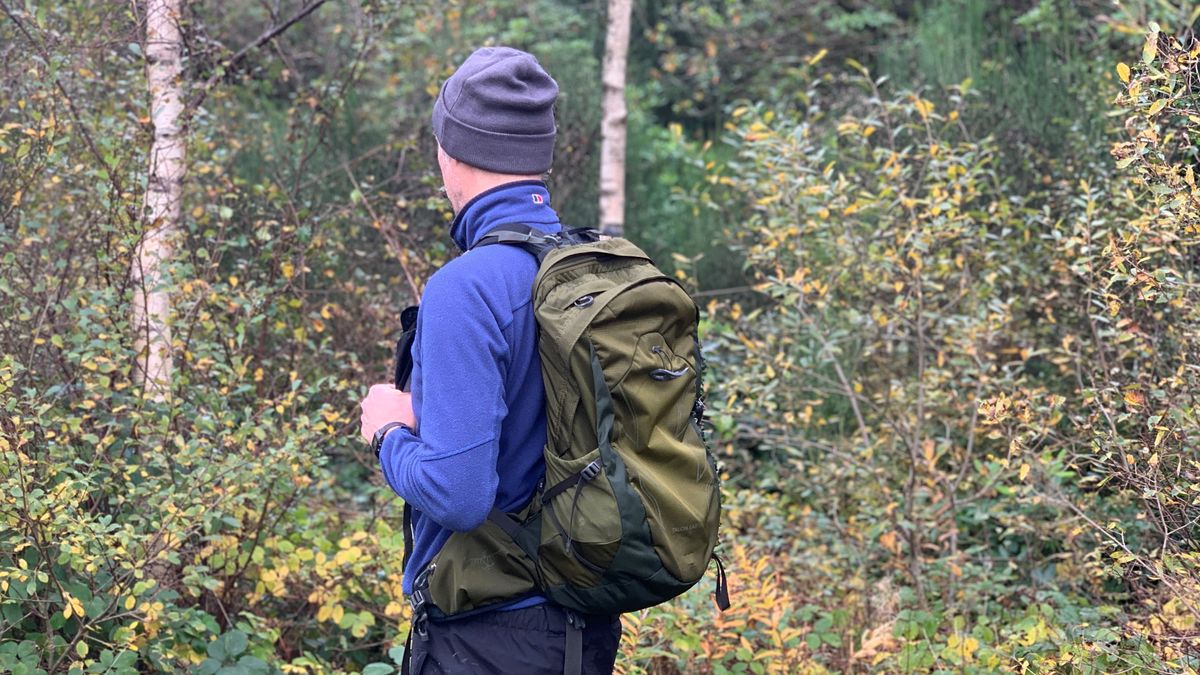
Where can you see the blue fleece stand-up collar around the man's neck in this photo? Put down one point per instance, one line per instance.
(521, 202)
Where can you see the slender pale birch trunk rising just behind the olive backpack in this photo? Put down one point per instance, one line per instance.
(613, 127)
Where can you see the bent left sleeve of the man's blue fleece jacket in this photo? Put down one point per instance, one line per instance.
(447, 470)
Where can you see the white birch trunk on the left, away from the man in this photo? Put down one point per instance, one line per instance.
(163, 208)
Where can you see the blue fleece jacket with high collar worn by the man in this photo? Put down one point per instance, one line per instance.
(477, 381)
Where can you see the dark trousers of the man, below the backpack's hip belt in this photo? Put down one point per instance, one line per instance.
(521, 642)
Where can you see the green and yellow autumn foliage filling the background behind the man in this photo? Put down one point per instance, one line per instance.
(947, 252)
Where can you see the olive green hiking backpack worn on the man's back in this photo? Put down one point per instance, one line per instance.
(628, 513)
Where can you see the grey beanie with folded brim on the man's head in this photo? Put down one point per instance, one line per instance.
(497, 112)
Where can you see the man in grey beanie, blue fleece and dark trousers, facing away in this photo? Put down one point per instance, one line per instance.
(471, 435)
